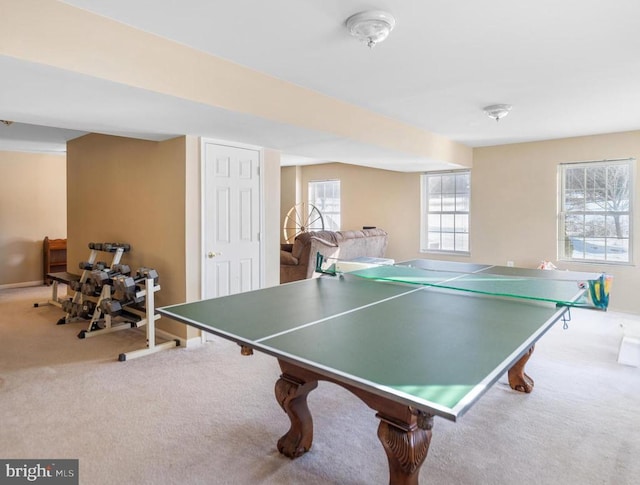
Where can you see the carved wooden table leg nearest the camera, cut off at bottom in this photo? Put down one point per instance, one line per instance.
(406, 445)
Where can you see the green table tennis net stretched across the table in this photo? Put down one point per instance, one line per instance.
(588, 293)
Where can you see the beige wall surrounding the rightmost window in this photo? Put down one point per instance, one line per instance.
(514, 205)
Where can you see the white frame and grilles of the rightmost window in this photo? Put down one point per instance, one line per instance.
(584, 241)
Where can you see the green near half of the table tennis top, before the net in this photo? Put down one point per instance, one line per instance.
(432, 348)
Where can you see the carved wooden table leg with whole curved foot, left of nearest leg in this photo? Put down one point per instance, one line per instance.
(291, 394)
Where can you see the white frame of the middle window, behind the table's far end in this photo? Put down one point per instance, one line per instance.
(459, 211)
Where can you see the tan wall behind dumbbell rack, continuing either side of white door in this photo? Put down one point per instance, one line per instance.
(148, 194)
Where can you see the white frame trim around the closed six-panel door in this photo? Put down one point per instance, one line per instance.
(261, 251)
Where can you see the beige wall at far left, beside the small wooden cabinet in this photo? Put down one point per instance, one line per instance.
(32, 206)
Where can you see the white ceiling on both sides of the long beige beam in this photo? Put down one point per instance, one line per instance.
(569, 68)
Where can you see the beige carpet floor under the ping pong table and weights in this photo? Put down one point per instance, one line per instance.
(208, 415)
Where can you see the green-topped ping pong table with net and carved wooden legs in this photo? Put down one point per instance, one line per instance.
(414, 340)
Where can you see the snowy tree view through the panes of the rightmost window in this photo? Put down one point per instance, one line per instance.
(595, 215)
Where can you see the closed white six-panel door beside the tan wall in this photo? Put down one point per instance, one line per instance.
(231, 192)
